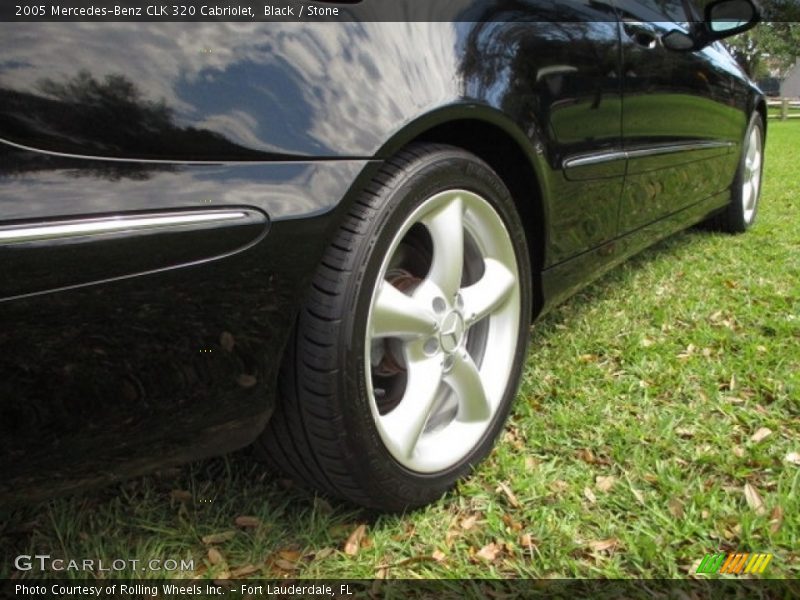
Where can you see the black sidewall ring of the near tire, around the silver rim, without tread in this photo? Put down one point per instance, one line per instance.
(365, 451)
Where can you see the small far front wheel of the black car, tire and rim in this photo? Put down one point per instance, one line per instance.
(741, 213)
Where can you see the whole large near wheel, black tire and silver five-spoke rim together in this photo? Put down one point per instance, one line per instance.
(408, 352)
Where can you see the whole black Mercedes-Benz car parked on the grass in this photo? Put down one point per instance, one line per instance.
(331, 239)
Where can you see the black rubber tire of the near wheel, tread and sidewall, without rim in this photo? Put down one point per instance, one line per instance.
(323, 433)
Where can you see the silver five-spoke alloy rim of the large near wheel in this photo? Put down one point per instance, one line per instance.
(442, 341)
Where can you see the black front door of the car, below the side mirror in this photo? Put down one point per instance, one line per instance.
(680, 122)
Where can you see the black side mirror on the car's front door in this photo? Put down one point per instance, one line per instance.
(723, 18)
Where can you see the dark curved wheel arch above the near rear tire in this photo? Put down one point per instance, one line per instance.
(495, 139)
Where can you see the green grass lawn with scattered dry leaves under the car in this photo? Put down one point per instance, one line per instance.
(658, 420)
